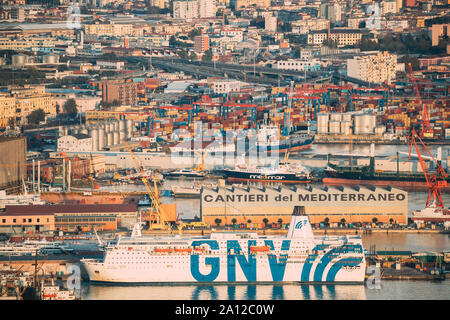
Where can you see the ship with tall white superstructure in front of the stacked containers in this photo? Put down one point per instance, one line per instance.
(269, 140)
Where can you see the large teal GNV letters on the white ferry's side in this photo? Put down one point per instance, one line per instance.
(235, 258)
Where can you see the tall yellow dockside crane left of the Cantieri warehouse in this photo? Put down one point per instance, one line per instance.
(161, 222)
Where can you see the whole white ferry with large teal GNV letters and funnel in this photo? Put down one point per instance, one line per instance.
(233, 258)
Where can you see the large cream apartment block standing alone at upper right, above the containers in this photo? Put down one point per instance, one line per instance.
(375, 68)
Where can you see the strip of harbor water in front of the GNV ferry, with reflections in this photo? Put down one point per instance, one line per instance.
(389, 290)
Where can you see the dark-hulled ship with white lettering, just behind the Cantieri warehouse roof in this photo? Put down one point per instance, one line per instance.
(283, 173)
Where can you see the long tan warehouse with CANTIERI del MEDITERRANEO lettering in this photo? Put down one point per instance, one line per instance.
(354, 204)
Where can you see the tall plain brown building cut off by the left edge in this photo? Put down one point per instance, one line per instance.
(12, 161)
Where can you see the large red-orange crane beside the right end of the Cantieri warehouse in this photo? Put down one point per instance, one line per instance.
(437, 180)
